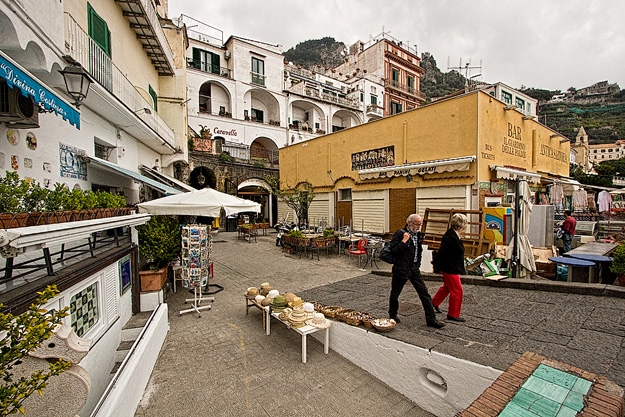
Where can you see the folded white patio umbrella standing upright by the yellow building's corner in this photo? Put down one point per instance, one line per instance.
(525, 255)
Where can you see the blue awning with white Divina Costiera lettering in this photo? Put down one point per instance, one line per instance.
(29, 85)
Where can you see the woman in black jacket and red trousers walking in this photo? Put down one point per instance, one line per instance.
(449, 261)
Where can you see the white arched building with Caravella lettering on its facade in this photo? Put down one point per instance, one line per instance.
(244, 93)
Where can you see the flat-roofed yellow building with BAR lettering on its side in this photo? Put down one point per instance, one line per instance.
(458, 153)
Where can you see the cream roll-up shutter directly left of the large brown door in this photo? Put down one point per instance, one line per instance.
(370, 210)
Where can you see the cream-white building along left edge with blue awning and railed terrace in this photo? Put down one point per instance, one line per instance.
(134, 114)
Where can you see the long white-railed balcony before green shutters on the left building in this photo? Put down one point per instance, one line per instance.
(85, 51)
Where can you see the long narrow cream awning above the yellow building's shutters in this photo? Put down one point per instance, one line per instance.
(418, 168)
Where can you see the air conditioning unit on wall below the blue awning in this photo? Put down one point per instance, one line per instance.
(17, 110)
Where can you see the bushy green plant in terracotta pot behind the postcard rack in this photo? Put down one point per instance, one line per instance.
(159, 244)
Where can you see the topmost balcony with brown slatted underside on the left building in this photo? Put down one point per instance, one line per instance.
(144, 21)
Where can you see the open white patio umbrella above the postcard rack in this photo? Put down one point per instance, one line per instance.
(205, 202)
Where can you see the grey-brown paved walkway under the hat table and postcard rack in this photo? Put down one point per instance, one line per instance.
(223, 364)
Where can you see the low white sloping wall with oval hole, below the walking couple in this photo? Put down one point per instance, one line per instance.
(415, 372)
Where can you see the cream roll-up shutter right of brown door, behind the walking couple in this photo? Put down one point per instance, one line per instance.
(445, 198)
